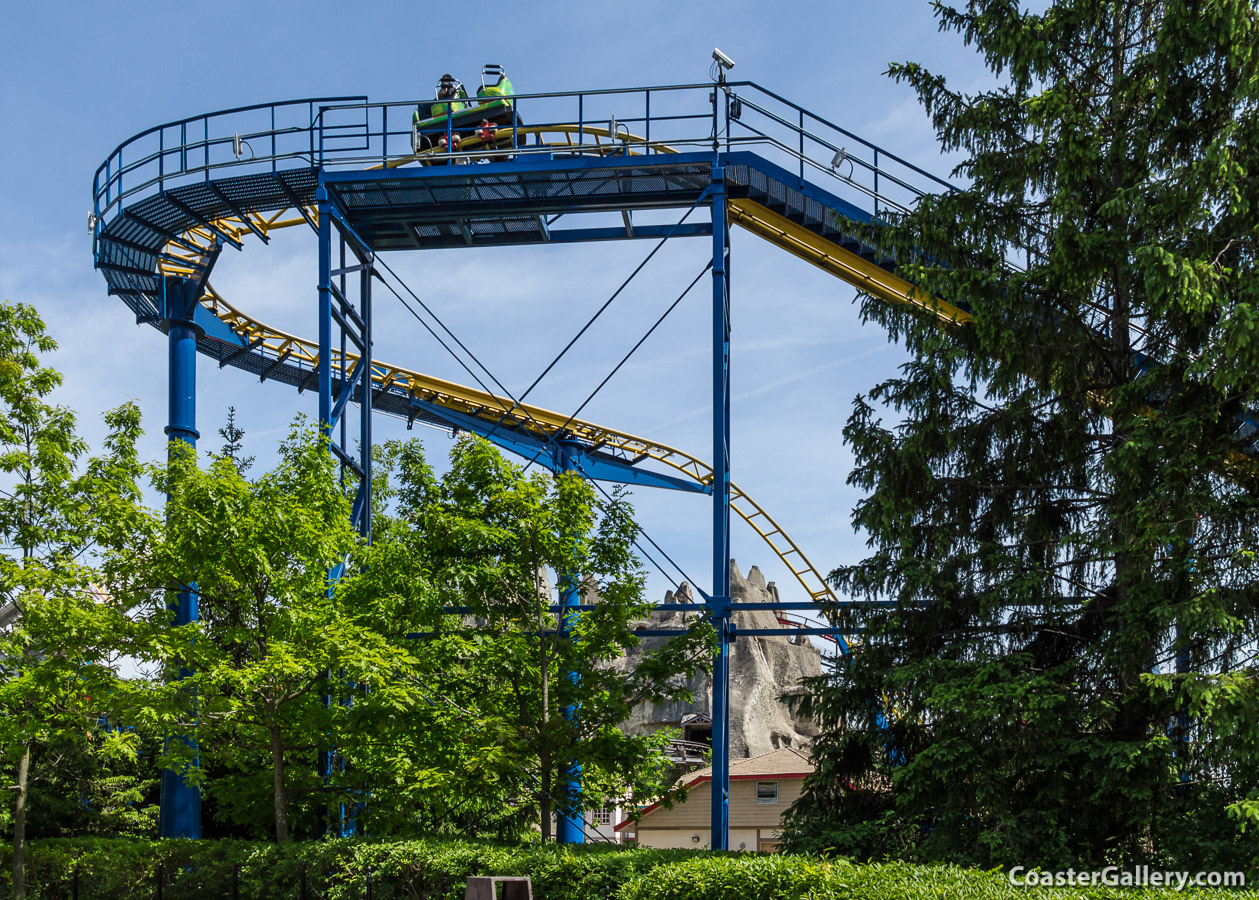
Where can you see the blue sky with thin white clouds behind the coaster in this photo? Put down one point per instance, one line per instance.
(77, 80)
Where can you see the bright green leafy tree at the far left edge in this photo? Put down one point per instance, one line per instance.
(61, 635)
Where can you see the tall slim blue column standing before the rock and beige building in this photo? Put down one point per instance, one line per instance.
(720, 605)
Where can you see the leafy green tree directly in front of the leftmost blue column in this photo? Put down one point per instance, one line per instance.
(276, 639)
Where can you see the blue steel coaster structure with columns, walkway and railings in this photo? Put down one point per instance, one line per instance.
(571, 167)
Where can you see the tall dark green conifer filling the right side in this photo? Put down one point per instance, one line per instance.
(1062, 512)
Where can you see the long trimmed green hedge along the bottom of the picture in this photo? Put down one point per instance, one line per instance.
(420, 869)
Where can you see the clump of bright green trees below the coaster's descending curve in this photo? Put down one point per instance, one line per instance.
(415, 684)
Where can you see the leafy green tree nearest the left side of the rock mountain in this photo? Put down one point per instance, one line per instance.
(490, 539)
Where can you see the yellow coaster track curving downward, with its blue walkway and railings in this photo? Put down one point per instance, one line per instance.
(169, 206)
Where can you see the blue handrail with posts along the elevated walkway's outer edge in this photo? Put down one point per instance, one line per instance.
(377, 135)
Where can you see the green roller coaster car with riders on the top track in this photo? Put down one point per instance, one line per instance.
(483, 118)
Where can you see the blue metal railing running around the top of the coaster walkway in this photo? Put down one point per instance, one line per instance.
(352, 132)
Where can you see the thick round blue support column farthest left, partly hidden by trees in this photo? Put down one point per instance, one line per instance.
(181, 811)
